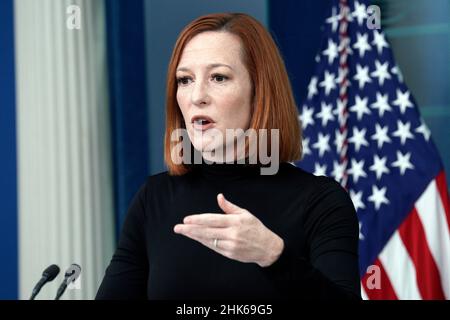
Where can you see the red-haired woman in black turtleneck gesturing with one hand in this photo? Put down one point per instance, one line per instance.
(219, 229)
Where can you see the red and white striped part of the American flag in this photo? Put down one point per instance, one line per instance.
(415, 263)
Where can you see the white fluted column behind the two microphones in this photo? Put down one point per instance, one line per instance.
(65, 175)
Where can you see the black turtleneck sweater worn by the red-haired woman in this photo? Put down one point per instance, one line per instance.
(313, 215)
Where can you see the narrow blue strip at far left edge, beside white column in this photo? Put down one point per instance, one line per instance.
(8, 180)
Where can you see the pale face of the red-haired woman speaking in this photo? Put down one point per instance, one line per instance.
(214, 89)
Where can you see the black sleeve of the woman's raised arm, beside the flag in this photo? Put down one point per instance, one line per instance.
(324, 264)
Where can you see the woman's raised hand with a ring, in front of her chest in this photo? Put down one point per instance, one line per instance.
(240, 235)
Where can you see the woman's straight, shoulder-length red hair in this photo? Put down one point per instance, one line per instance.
(273, 102)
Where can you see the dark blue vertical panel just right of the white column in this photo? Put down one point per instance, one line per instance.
(128, 100)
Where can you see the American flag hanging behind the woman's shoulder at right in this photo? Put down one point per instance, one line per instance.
(361, 126)
